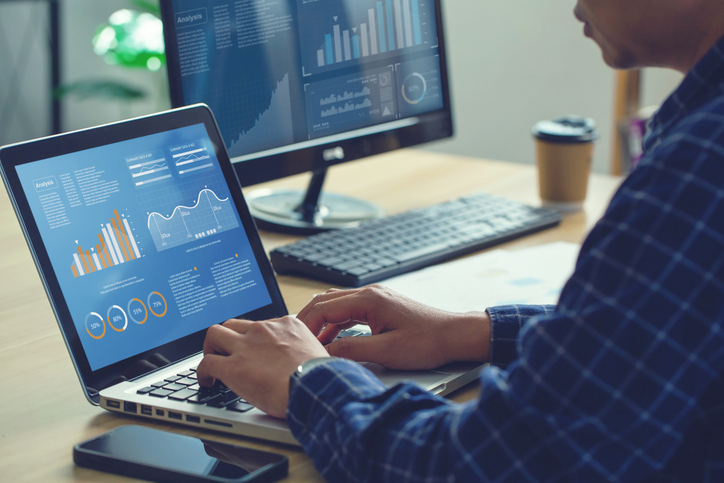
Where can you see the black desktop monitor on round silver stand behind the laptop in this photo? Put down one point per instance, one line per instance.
(303, 85)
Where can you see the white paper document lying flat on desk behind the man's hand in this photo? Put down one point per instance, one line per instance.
(533, 275)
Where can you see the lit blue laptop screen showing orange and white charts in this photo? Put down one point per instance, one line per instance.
(145, 240)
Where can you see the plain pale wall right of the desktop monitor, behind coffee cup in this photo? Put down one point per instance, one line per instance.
(513, 63)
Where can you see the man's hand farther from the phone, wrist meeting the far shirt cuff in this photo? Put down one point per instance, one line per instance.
(405, 334)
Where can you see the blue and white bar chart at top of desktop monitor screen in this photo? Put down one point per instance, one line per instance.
(364, 29)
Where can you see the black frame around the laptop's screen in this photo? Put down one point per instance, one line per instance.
(63, 144)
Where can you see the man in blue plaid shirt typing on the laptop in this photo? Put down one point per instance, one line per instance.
(621, 381)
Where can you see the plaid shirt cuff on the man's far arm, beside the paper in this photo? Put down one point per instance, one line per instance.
(505, 324)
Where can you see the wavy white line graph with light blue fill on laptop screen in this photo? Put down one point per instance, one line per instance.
(208, 216)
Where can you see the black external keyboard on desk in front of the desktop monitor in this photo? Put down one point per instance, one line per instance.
(397, 244)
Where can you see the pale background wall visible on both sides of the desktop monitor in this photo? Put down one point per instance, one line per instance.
(512, 63)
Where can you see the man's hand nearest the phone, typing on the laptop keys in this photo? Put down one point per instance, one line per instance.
(256, 359)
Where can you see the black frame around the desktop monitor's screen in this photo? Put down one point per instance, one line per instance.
(424, 128)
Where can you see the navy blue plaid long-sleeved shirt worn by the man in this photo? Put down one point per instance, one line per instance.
(621, 381)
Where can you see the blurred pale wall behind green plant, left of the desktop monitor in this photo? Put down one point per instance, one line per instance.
(24, 113)
